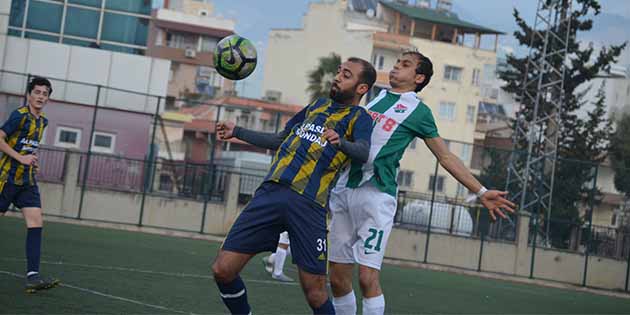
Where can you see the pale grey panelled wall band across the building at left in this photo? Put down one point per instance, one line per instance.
(138, 74)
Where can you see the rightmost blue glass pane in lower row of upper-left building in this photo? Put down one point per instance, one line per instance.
(125, 29)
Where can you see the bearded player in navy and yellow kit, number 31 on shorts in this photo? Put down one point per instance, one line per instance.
(315, 145)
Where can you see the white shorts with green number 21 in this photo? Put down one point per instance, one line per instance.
(362, 219)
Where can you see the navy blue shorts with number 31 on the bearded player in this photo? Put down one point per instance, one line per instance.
(274, 209)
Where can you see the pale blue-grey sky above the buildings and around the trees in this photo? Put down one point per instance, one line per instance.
(255, 18)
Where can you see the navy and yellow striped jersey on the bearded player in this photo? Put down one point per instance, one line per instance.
(305, 161)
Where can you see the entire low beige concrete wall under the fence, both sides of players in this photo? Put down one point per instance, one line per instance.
(408, 245)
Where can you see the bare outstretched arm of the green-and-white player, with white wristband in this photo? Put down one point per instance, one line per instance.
(494, 200)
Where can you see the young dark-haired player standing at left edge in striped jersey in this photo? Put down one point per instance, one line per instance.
(20, 136)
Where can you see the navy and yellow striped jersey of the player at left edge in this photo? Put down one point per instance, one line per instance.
(24, 132)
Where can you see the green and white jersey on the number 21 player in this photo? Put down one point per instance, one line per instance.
(398, 119)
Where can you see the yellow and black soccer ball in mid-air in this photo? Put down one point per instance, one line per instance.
(235, 57)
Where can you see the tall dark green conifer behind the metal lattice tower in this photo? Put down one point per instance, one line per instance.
(580, 138)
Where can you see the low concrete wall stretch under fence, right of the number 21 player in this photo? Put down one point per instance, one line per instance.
(506, 258)
